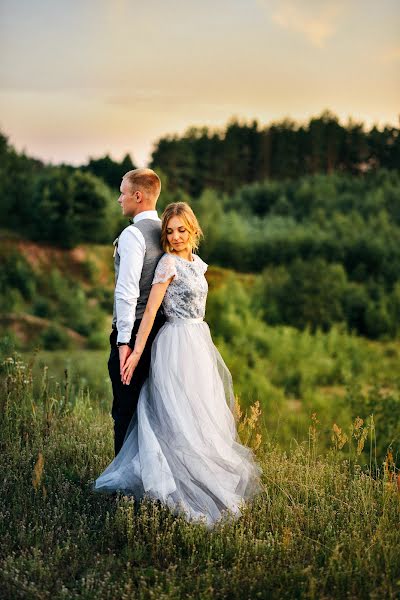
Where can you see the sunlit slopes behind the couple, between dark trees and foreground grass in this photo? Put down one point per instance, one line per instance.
(56, 307)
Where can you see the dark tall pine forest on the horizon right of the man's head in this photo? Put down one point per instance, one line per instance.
(244, 153)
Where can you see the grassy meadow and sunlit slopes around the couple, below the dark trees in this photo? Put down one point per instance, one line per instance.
(320, 409)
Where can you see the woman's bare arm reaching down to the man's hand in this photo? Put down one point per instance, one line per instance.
(153, 304)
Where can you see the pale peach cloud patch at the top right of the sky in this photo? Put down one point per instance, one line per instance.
(316, 20)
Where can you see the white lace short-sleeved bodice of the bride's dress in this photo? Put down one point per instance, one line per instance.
(186, 295)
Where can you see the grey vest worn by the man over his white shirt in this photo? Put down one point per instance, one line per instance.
(151, 231)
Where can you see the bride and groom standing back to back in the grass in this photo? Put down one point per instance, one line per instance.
(175, 436)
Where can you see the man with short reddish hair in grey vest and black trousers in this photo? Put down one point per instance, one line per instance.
(137, 252)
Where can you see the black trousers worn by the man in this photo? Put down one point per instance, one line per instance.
(126, 396)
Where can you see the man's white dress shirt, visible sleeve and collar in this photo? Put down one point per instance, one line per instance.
(131, 250)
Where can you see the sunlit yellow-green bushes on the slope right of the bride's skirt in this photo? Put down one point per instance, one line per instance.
(284, 368)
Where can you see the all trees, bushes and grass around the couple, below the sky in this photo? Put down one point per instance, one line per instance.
(302, 238)
